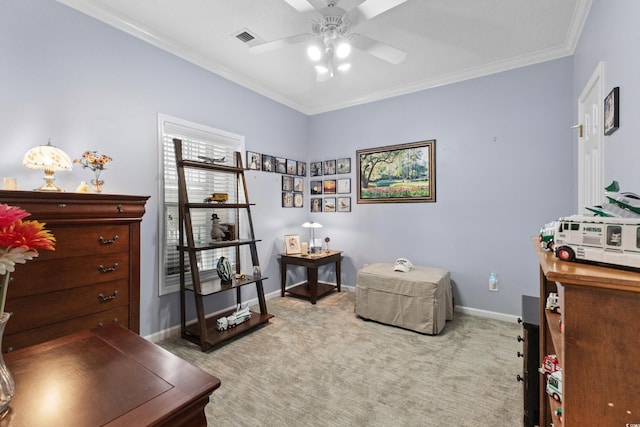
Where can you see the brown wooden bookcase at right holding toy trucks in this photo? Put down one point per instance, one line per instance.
(597, 347)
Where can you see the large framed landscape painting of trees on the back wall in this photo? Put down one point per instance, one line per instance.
(403, 173)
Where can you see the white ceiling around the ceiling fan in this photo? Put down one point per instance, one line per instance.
(446, 41)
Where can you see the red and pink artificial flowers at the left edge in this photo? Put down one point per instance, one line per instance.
(19, 243)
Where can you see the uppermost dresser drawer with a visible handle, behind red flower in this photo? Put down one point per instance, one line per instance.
(78, 240)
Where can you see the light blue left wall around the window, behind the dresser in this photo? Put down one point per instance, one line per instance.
(88, 86)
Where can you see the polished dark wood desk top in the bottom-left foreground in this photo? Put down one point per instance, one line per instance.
(106, 376)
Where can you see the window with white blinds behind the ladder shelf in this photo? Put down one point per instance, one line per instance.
(197, 140)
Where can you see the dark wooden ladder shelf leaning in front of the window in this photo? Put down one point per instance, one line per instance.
(204, 331)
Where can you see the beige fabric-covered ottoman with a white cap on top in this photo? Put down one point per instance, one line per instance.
(419, 300)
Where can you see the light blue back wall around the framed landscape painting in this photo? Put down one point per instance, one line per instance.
(491, 195)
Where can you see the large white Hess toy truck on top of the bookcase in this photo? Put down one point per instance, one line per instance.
(607, 240)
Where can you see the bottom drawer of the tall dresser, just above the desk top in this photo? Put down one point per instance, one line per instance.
(10, 342)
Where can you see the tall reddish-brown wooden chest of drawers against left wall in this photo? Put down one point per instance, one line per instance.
(93, 276)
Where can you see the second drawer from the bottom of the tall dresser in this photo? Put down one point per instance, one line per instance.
(64, 305)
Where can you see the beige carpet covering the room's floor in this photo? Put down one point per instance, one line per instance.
(322, 366)
